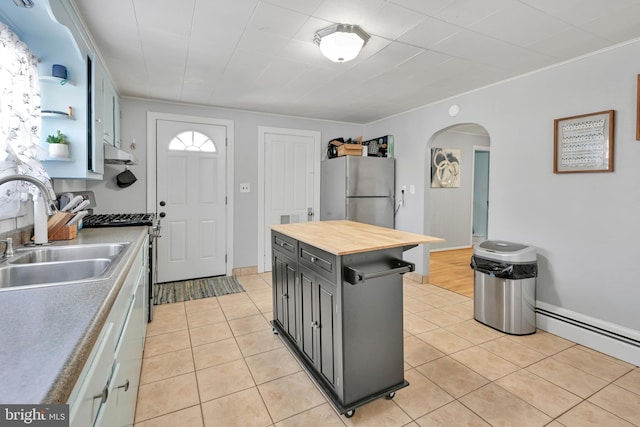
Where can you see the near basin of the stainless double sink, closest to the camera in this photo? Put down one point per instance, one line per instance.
(36, 275)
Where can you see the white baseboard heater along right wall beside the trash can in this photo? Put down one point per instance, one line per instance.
(608, 338)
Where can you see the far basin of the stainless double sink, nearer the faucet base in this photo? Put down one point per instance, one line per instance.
(66, 253)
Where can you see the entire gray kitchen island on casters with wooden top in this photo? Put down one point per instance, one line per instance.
(337, 304)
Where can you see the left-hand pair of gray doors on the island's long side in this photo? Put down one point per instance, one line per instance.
(284, 275)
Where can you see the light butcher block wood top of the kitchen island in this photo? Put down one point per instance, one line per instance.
(349, 237)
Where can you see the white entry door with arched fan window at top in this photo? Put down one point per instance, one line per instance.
(190, 197)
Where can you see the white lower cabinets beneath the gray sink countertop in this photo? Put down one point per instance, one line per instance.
(106, 391)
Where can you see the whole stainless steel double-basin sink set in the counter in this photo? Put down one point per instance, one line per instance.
(59, 265)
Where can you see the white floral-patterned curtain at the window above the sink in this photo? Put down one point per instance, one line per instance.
(20, 121)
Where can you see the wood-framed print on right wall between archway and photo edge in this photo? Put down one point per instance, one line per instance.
(584, 143)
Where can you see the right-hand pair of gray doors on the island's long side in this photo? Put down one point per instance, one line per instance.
(318, 322)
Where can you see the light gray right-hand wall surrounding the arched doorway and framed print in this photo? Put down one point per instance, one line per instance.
(584, 225)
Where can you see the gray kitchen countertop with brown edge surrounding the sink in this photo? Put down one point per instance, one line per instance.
(47, 333)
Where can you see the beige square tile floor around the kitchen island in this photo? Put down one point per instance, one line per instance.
(216, 362)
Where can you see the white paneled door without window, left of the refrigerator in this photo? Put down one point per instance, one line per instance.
(291, 180)
